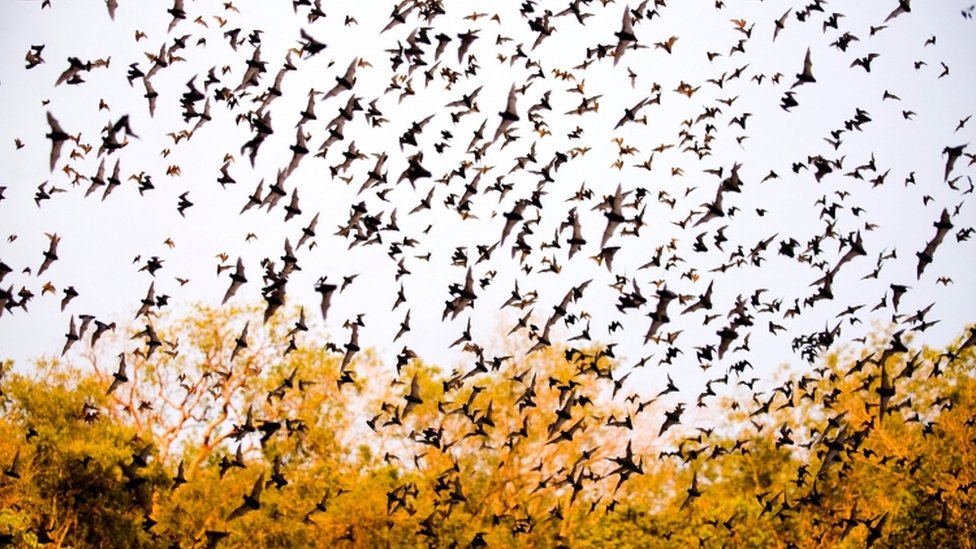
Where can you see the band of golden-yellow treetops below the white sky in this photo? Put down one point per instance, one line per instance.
(338, 449)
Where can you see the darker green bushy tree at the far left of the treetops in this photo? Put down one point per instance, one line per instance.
(73, 463)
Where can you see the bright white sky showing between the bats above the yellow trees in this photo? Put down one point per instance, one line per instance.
(100, 239)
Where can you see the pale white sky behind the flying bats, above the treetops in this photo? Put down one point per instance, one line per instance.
(921, 57)
